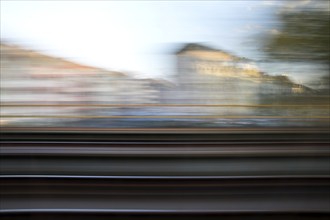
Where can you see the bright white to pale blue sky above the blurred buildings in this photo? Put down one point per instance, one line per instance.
(138, 37)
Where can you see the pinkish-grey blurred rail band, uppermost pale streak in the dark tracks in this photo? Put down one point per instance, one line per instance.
(169, 148)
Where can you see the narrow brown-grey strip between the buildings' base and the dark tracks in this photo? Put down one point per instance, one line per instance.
(5, 130)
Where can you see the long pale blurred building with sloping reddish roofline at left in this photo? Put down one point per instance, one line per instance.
(32, 78)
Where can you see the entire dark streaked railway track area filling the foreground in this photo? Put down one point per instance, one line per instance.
(176, 176)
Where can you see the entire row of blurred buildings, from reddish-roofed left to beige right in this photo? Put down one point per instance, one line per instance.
(205, 76)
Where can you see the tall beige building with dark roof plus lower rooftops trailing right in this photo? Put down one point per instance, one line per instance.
(208, 76)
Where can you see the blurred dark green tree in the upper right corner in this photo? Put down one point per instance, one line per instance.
(302, 35)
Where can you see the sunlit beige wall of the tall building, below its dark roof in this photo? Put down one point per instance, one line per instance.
(215, 78)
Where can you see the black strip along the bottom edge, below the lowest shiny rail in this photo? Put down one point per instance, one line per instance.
(91, 215)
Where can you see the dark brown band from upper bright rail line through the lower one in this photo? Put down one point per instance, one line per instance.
(241, 196)
